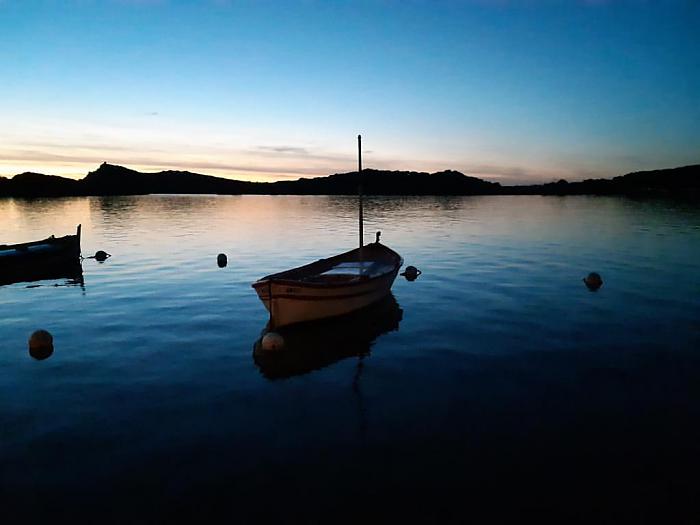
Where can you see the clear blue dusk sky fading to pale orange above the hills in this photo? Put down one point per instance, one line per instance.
(509, 91)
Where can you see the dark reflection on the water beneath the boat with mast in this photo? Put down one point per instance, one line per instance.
(315, 345)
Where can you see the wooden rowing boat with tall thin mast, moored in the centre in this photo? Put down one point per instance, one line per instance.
(332, 286)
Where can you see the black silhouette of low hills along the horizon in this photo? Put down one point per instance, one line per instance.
(110, 179)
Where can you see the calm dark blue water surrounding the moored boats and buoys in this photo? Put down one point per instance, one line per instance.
(495, 386)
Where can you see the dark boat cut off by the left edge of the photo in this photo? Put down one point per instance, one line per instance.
(49, 258)
